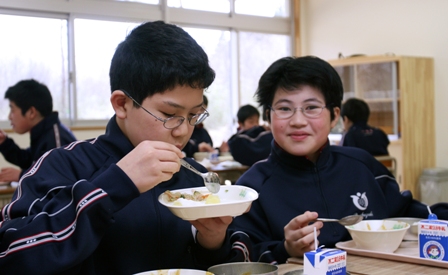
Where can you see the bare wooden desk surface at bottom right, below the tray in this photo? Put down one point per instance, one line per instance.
(359, 265)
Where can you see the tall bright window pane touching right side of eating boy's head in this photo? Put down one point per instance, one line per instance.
(216, 43)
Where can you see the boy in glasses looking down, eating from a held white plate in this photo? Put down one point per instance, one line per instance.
(92, 207)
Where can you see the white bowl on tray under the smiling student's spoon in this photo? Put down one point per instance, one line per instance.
(378, 235)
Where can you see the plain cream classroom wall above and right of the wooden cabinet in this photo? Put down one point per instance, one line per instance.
(377, 27)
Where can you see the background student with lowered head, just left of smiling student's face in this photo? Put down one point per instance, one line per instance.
(252, 142)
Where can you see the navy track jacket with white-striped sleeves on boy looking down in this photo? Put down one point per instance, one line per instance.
(76, 212)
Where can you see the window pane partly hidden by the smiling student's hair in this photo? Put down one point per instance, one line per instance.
(257, 52)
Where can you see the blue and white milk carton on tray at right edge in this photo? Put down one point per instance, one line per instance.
(433, 238)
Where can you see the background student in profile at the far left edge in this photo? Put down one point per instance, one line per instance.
(31, 110)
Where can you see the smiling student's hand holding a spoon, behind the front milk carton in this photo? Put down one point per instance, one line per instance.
(299, 234)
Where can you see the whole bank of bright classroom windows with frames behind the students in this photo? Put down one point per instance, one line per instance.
(72, 49)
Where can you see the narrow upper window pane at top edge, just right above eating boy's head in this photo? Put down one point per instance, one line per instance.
(222, 6)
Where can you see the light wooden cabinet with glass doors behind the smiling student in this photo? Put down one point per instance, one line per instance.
(400, 94)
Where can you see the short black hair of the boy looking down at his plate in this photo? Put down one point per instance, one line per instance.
(156, 57)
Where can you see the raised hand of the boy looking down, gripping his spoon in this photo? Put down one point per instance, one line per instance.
(150, 163)
